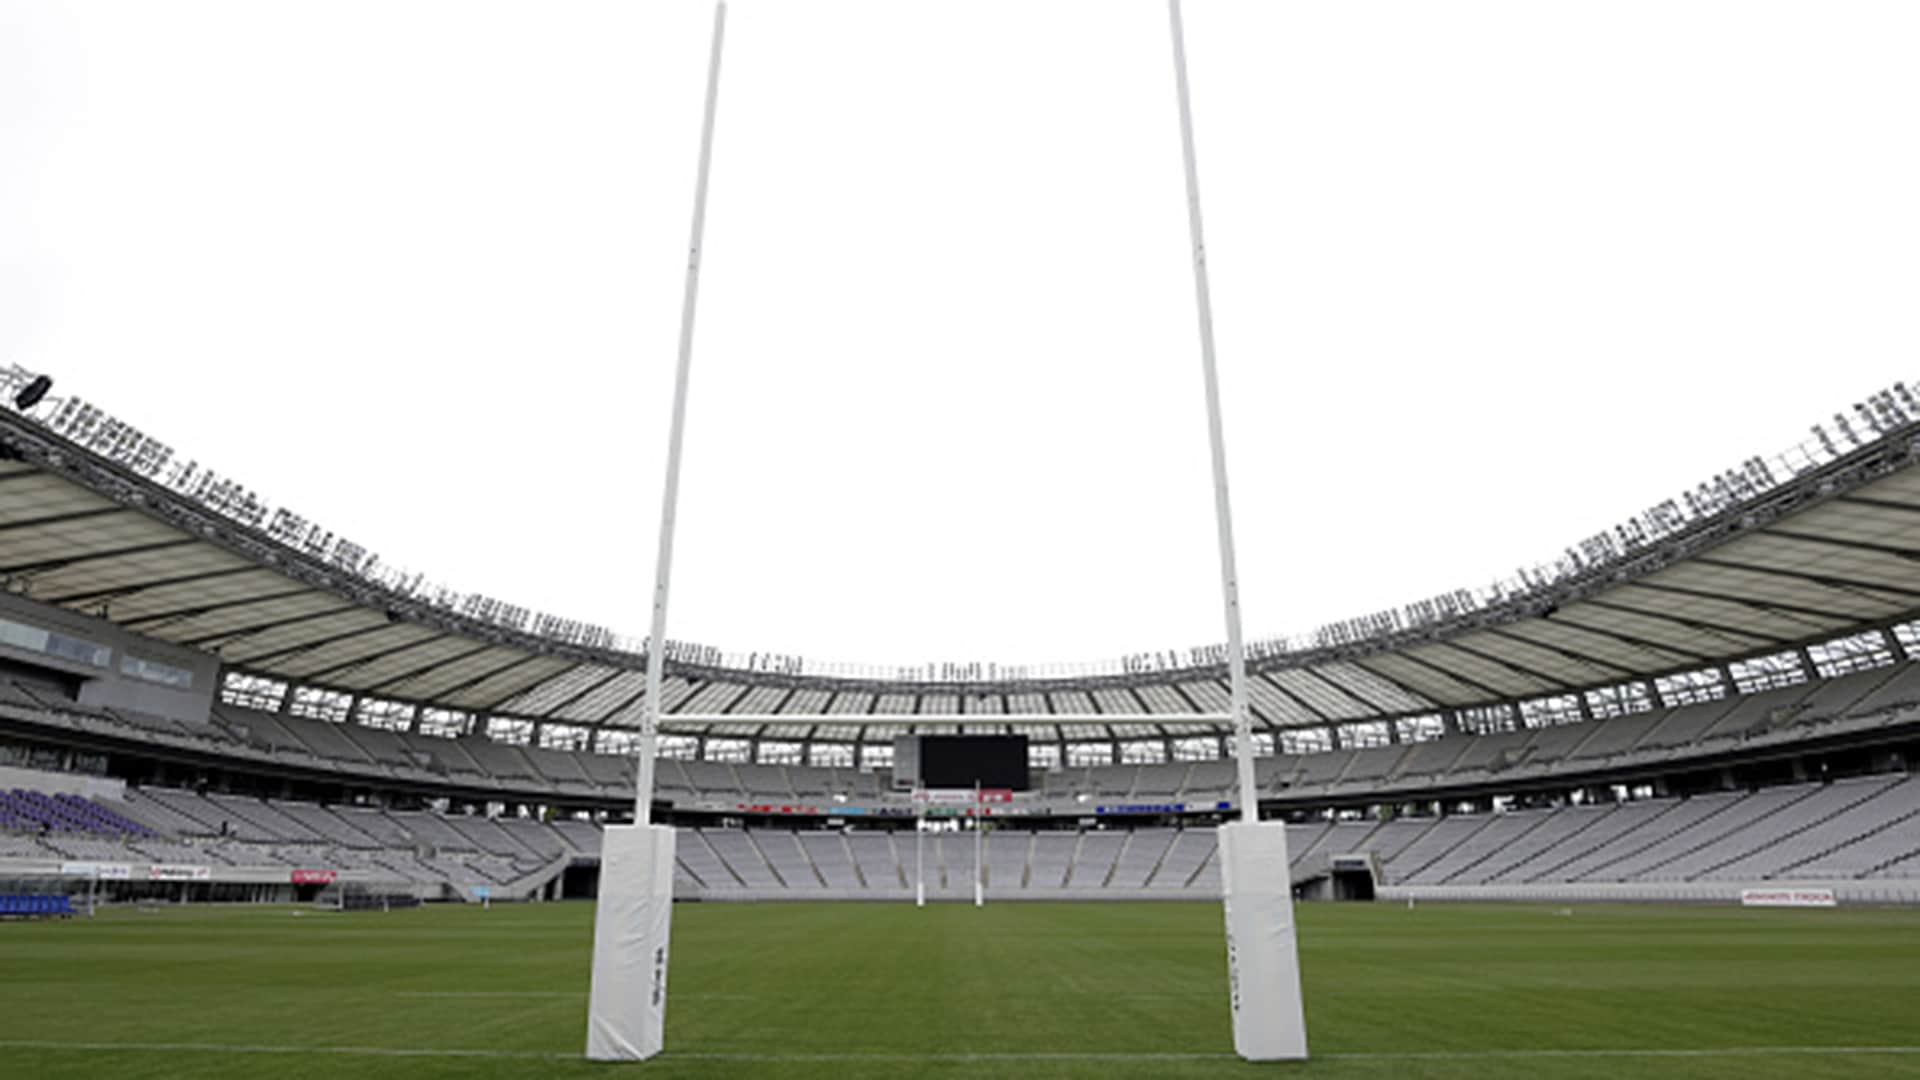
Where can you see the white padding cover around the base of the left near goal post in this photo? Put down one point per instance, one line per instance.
(627, 1016)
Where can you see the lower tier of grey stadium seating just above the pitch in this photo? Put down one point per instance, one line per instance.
(1861, 835)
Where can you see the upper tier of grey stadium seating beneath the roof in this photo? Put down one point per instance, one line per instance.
(1875, 706)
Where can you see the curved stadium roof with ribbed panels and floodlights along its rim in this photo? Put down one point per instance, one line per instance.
(1764, 560)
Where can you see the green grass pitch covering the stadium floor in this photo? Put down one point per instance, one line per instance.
(1061, 991)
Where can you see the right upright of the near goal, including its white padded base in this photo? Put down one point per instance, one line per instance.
(1262, 958)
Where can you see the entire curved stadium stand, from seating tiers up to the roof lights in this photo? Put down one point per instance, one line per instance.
(1716, 695)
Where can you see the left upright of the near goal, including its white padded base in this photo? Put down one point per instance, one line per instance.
(633, 923)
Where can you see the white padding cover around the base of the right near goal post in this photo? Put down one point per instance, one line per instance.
(1262, 960)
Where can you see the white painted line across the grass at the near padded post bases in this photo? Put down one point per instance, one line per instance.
(957, 1058)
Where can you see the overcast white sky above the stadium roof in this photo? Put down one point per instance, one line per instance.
(1489, 276)
